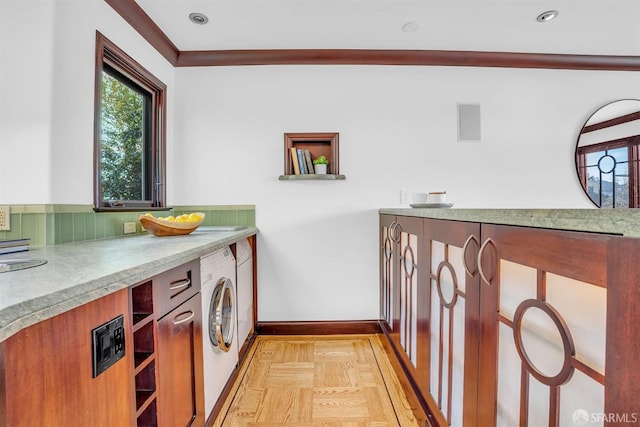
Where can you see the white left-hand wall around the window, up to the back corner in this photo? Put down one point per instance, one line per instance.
(47, 96)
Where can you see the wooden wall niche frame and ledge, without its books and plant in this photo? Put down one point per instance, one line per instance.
(319, 144)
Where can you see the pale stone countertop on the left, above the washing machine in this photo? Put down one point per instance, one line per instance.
(77, 273)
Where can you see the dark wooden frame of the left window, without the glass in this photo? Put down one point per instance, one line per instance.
(111, 56)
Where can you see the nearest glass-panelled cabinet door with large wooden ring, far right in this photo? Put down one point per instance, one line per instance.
(544, 327)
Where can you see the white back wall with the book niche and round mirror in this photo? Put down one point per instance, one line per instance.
(318, 240)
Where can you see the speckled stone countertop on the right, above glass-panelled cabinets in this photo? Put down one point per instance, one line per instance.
(625, 222)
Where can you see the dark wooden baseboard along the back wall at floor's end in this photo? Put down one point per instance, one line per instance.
(319, 328)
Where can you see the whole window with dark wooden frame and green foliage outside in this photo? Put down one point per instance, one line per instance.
(129, 134)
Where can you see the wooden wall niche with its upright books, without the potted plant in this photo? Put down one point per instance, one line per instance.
(301, 148)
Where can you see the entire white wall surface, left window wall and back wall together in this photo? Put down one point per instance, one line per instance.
(318, 251)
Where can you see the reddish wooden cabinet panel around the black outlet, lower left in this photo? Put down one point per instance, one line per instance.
(46, 376)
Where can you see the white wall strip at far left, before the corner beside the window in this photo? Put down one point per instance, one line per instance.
(26, 52)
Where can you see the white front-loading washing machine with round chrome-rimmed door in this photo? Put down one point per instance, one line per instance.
(219, 318)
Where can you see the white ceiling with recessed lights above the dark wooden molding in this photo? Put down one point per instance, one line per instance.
(583, 27)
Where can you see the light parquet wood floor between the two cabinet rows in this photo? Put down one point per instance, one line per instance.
(334, 381)
